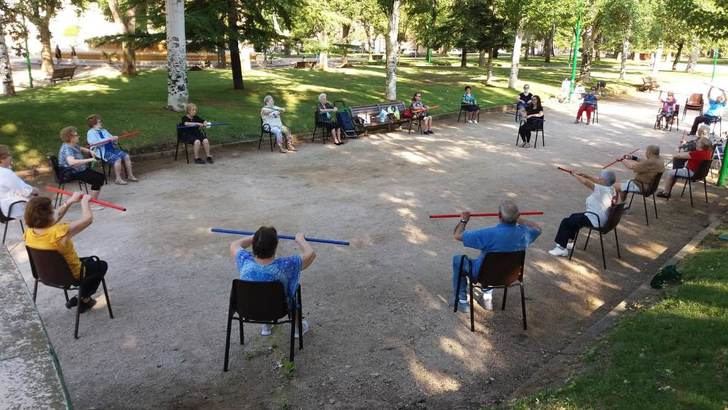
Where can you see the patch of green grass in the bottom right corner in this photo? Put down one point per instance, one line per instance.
(672, 355)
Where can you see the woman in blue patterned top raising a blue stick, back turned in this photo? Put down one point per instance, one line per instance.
(263, 266)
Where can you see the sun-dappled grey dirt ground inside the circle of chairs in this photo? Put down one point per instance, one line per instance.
(382, 332)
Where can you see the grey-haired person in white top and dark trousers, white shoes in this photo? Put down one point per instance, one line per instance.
(602, 198)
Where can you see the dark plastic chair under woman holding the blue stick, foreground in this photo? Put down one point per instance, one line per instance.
(265, 303)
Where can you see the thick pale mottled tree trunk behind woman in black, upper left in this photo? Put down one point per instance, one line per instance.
(177, 90)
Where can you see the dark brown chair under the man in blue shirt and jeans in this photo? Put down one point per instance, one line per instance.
(500, 270)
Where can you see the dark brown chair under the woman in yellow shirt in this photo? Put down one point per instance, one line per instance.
(50, 268)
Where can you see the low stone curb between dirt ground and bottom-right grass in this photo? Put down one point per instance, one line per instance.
(571, 355)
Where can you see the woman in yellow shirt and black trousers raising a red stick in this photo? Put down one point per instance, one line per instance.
(47, 232)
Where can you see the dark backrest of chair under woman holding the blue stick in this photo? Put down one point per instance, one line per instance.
(264, 301)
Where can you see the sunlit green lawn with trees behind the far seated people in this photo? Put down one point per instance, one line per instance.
(32, 120)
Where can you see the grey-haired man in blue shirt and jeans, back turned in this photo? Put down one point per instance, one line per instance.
(513, 233)
